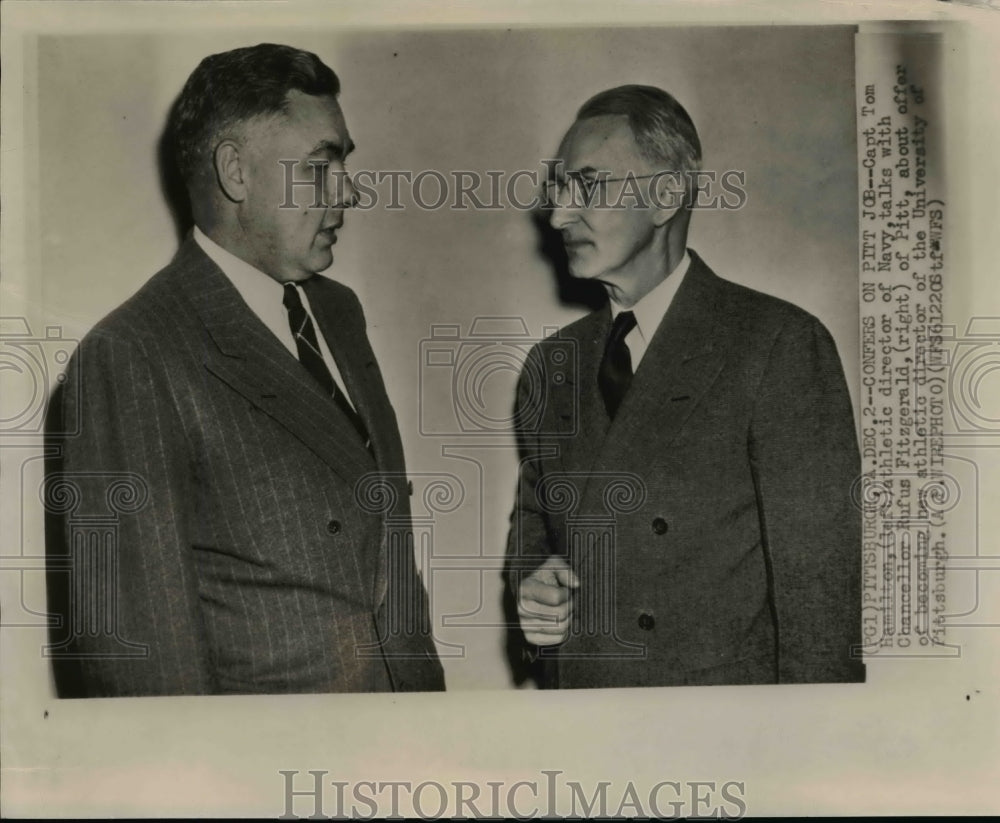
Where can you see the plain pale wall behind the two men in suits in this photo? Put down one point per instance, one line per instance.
(777, 103)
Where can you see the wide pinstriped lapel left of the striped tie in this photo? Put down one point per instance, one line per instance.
(252, 361)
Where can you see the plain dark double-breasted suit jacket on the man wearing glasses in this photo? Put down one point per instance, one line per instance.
(712, 522)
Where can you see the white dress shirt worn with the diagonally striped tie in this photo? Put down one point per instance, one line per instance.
(264, 295)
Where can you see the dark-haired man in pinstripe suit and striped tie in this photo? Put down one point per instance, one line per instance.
(266, 544)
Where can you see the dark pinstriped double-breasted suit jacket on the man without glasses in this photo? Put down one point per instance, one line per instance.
(247, 544)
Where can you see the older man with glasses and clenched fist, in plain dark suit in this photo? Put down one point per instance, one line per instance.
(686, 518)
